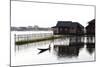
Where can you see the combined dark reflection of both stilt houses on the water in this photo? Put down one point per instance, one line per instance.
(74, 47)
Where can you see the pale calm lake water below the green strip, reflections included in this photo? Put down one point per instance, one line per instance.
(67, 49)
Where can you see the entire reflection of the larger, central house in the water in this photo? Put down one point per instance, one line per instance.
(70, 50)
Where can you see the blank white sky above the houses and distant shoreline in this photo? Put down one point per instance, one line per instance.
(47, 15)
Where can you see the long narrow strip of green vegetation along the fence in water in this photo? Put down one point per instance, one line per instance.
(36, 40)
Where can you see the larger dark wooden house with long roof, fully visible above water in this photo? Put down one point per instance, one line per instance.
(68, 27)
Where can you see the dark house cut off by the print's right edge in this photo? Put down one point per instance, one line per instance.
(90, 28)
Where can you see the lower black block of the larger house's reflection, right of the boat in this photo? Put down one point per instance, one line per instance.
(66, 51)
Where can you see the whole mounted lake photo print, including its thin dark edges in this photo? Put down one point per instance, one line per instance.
(44, 33)
